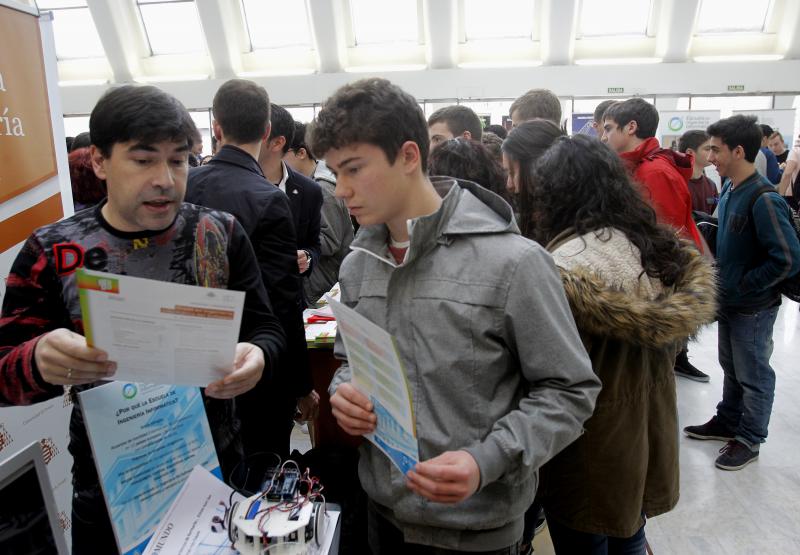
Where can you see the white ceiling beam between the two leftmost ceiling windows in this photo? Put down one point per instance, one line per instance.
(120, 35)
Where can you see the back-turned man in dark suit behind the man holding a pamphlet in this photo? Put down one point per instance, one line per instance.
(233, 181)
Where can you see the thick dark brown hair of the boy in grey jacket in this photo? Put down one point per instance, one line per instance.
(372, 111)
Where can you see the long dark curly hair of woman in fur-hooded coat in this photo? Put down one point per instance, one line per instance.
(575, 184)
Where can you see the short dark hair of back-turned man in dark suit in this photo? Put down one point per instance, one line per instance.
(241, 108)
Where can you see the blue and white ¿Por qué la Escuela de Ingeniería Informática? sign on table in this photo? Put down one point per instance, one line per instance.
(146, 439)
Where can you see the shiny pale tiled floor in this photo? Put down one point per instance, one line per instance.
(753, 511)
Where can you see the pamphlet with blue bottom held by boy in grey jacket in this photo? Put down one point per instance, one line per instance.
(378, 373)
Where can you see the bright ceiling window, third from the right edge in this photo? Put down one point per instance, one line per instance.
(498, 19)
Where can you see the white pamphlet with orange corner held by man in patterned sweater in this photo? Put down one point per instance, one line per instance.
(161, 332)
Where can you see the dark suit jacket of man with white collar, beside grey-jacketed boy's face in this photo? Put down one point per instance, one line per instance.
(305, 198)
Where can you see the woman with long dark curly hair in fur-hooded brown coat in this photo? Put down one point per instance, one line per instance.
(636, 292)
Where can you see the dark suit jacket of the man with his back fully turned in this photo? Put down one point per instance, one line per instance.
(233, 181)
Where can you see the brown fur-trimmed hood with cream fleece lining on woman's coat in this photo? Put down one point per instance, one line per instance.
(602, 306)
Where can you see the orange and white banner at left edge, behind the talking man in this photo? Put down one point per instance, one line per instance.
(34, 191)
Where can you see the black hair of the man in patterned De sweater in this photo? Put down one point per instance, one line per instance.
(141, 113)
